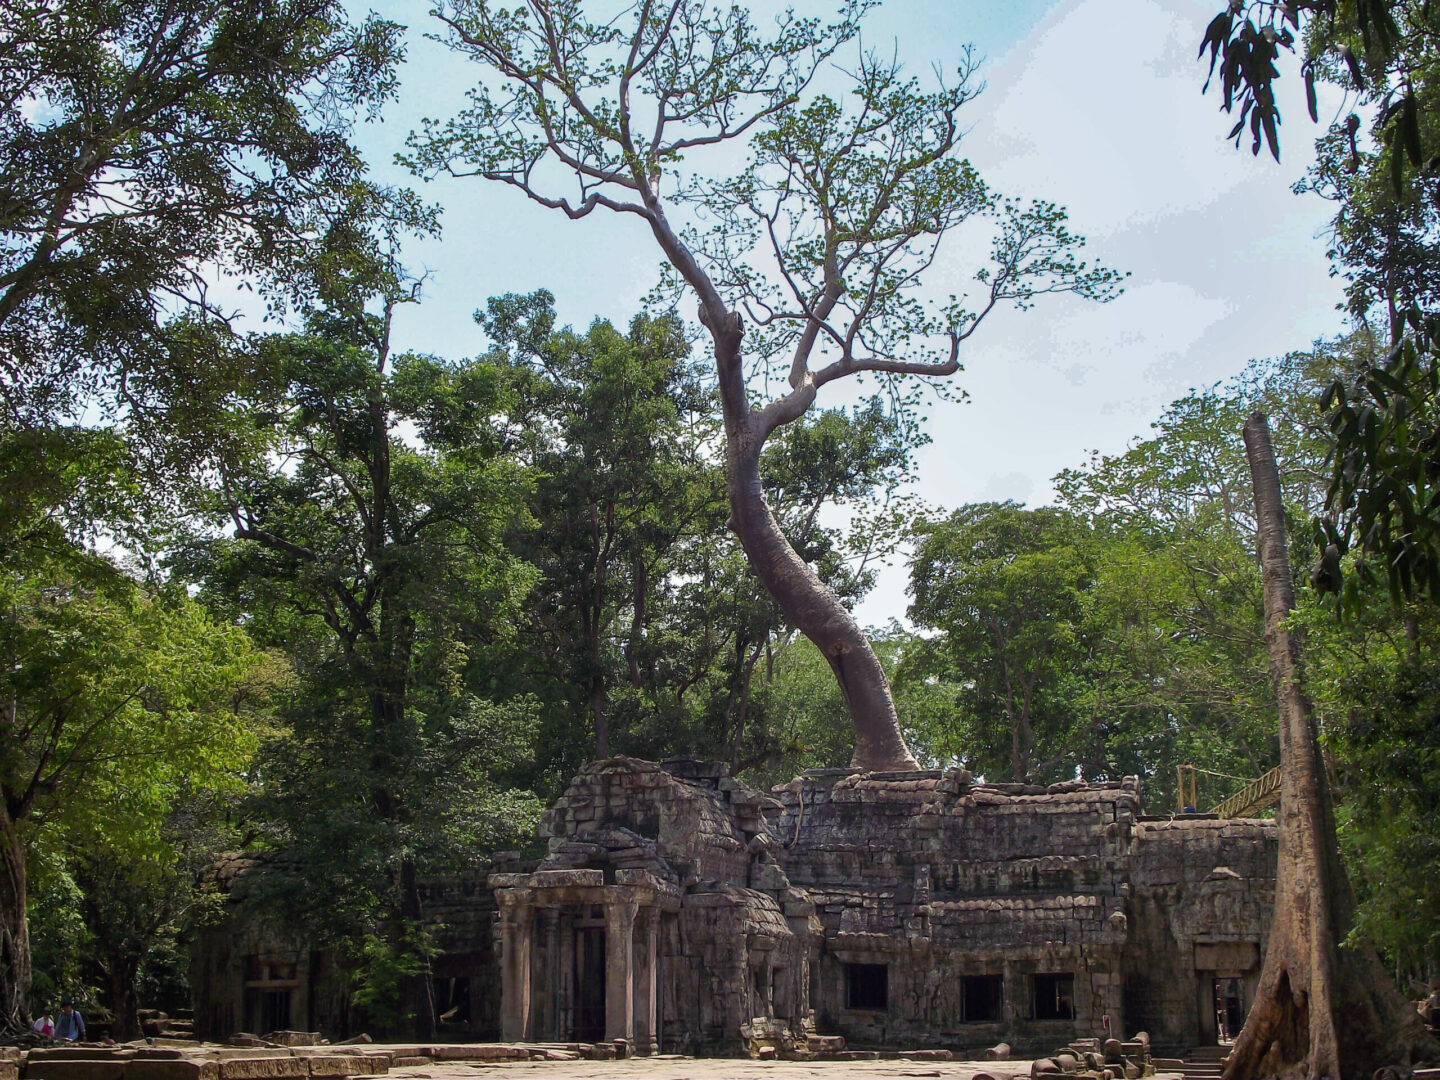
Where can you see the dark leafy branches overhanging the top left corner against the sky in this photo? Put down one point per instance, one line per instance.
(140, 145)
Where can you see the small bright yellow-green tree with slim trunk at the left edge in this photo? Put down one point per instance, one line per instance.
(117, 702)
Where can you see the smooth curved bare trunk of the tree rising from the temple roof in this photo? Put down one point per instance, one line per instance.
(804, 598)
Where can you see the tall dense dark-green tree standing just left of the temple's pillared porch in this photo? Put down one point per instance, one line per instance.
(366, 544)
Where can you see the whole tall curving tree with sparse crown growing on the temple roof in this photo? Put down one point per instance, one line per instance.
(804, 246)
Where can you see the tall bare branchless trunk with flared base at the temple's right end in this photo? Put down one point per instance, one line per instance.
(1321, 1010)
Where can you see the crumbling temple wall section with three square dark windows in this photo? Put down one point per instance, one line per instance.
(942, 881)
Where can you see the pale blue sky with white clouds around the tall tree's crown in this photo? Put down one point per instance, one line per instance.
(1094, 104)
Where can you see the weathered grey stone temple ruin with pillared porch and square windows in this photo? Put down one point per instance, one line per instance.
(685, 912)
